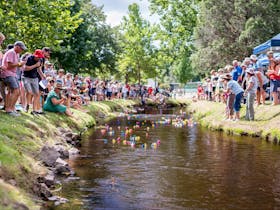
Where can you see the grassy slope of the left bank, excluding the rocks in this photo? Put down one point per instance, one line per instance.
(22, 138)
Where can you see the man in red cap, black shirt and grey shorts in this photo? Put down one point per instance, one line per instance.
(31, 82)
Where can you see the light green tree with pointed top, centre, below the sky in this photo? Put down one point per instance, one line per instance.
(137, 59)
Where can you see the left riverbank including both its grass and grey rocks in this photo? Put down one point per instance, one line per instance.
(26, 176)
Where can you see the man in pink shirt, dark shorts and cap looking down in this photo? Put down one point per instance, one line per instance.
(11, 62)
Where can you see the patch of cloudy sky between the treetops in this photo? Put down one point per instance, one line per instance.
(116, 9)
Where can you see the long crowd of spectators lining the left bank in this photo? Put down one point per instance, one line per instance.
(31, 81)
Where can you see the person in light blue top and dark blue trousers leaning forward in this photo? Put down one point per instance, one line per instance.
(232, 86)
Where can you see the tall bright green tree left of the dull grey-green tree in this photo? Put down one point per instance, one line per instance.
(175, 35)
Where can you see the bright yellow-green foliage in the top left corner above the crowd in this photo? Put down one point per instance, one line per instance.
(38, 23)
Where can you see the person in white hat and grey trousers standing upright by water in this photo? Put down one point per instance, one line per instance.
(250, 93)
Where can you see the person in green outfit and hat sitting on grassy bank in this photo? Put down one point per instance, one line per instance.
(55, 101)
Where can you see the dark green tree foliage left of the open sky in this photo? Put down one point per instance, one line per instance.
(91, 49)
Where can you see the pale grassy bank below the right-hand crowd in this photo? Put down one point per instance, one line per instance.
(265, 126)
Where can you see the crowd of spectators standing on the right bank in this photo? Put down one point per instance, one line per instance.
(247, 82)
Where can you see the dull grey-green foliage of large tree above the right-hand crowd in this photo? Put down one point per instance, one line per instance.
(228, 30)
